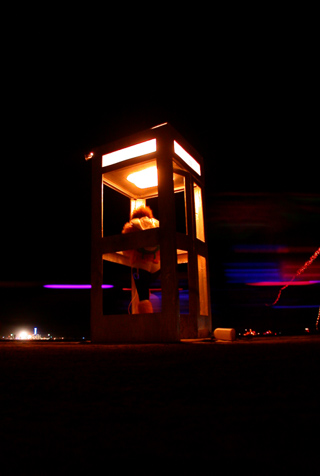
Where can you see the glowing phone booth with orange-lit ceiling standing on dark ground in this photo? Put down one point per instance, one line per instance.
(154, 164)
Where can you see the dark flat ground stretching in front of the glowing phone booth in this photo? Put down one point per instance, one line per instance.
(80, 408)
